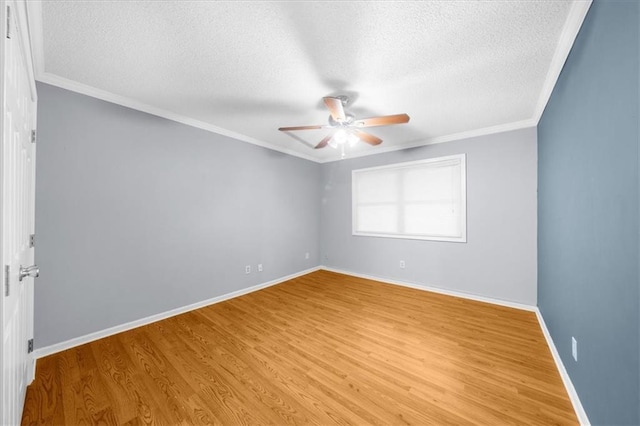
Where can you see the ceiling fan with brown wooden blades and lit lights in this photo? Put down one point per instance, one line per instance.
(345, 129)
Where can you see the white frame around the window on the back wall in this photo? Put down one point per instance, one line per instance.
(463, 201)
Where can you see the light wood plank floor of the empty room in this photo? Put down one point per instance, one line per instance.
(320, 349)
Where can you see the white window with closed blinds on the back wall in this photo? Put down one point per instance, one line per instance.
(420, 200)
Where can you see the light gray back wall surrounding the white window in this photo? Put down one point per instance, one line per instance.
(499, 258)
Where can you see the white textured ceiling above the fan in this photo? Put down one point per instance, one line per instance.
(247, 68)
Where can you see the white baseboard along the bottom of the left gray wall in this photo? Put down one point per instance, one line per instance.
(77, 341)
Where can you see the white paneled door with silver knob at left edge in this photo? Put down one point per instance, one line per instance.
(17, 178)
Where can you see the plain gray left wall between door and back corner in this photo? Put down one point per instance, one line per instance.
(137, 215)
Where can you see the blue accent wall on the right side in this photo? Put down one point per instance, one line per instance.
(588, 213)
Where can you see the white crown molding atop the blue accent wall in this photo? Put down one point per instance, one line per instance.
(572, 26)
